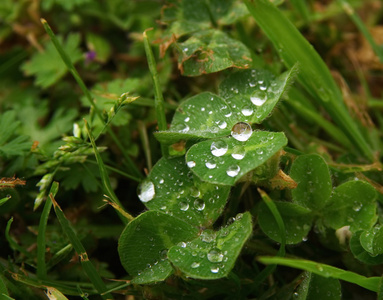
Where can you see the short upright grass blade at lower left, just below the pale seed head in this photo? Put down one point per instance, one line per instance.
(41, 245)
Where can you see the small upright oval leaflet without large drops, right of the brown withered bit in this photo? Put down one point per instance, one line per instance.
(314, 182)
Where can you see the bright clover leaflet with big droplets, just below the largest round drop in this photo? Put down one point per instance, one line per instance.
(226, 160)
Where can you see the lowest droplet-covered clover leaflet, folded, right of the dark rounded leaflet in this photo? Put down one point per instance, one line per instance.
(212, 255)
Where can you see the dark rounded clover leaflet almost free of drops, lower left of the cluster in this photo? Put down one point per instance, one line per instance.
(144, 243)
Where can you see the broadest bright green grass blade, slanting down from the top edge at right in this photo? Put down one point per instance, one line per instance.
(314, 74)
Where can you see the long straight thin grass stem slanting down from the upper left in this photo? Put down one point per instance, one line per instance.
(66, 59)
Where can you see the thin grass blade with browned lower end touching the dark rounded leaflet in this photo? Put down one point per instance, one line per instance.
(105, 178)
